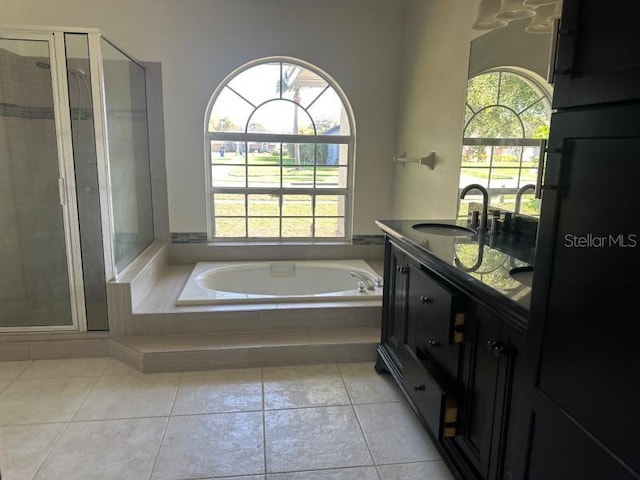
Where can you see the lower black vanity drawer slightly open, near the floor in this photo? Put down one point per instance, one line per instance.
(433, 399)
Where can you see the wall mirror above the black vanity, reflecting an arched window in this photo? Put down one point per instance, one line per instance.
(507, 116)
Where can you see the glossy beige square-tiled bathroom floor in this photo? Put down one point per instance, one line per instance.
(99, 419)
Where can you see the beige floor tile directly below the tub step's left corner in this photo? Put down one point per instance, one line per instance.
(130, 396)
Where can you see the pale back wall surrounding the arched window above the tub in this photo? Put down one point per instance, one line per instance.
(199, 42)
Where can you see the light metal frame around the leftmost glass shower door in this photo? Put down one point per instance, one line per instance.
(68, 201)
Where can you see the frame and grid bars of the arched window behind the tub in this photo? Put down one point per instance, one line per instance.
(248, 137)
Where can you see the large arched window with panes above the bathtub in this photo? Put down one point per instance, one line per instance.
(279, 147)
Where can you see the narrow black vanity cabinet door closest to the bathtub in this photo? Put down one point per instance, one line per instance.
(395, 300)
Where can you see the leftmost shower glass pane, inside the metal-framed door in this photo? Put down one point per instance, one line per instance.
(34, 278)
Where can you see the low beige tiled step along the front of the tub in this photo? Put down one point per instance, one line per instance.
(228, 350)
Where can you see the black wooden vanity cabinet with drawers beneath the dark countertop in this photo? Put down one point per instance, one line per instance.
(456, 364)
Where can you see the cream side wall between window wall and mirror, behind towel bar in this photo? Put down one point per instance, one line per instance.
(434, 81)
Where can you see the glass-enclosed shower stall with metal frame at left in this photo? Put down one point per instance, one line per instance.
(75, 180)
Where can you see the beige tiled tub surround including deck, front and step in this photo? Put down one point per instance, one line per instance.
(158, 336)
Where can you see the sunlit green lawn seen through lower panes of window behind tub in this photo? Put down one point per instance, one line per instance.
(277, 215)
